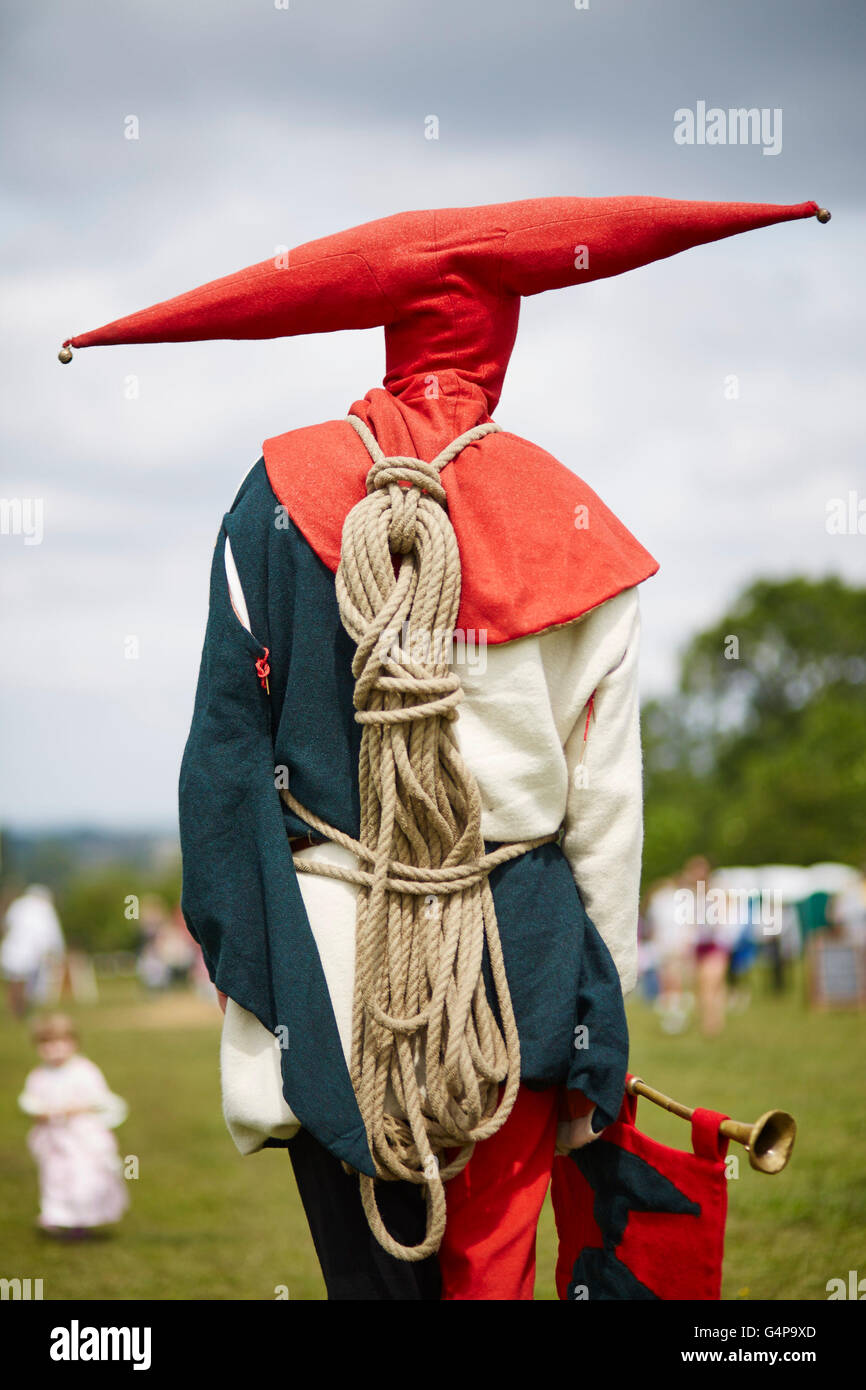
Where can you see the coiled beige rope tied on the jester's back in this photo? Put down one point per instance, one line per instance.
(429, 1057)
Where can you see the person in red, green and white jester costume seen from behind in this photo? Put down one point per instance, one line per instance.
(411, 800)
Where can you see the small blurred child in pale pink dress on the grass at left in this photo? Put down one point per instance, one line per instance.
(81, 1184)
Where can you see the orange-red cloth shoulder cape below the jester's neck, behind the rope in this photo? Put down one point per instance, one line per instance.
(539, 547)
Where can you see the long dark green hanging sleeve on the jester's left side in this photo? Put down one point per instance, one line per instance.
(241, 897)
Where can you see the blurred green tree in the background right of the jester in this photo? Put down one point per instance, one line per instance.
(761, 754)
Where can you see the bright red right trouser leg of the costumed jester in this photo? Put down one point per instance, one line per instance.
(494, 1206)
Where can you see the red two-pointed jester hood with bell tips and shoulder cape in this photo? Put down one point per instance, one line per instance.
(447, 286)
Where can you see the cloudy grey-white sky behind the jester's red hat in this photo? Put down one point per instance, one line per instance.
(263, 126)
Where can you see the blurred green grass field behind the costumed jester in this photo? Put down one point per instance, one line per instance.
(206, 1224)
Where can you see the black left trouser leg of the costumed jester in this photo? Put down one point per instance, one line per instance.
(352, 1261)
